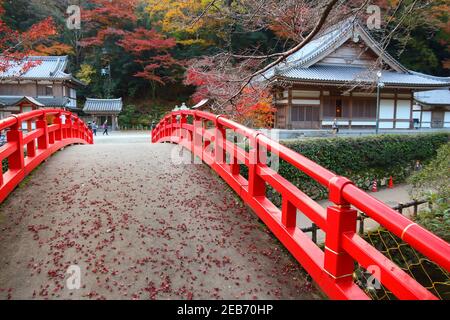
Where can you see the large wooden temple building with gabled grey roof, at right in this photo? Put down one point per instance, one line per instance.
(335, 76)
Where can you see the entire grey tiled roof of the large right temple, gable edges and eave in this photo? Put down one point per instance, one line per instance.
(304, 65)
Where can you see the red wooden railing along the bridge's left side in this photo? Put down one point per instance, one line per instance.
(47, 131)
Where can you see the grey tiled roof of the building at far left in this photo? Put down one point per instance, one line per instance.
(45, 68)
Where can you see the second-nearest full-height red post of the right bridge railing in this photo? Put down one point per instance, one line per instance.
(256, 185)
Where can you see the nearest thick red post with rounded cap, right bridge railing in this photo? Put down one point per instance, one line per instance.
(340, 218)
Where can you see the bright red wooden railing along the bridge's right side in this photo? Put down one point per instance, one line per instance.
(204, 134)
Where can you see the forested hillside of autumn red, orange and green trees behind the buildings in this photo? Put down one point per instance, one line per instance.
(141, 49)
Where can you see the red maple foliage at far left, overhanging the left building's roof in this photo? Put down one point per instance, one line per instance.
(16, 45)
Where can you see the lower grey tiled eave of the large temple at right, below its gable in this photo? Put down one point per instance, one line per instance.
(354, 75)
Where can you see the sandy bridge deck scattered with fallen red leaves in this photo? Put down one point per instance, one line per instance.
(138, 227)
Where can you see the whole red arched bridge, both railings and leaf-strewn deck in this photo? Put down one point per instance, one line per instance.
(141, 228)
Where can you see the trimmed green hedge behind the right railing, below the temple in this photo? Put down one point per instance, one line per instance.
(362, 159)
